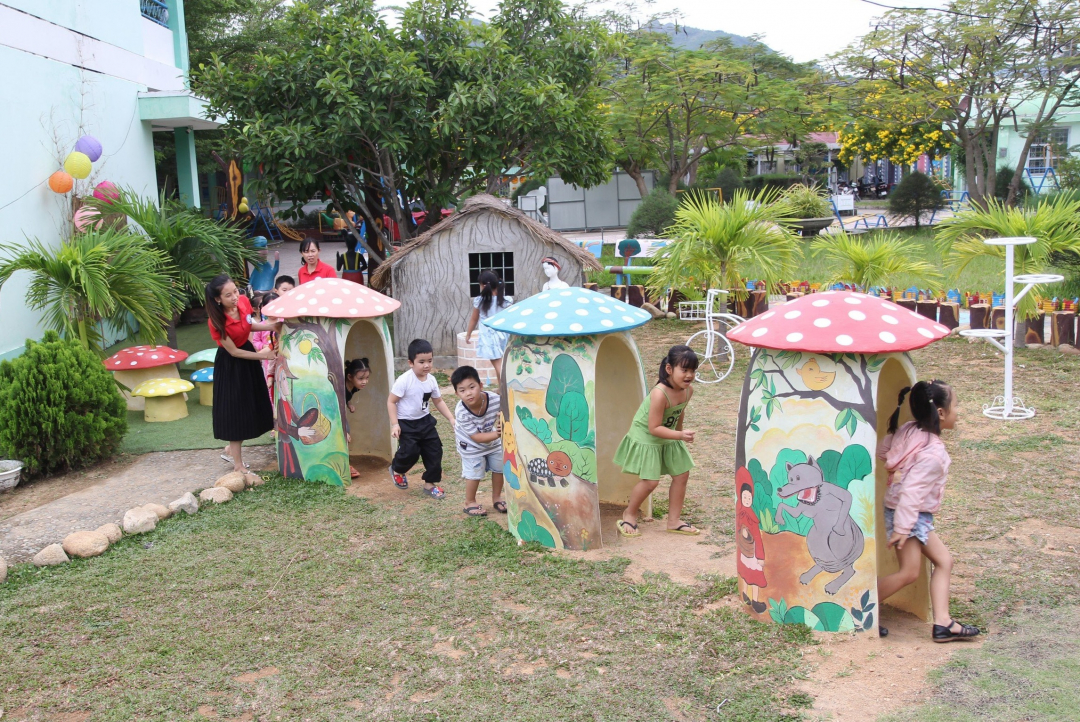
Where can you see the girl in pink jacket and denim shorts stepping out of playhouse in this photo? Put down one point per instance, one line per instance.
(919, 467)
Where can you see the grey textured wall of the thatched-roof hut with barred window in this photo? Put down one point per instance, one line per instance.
(433, 283)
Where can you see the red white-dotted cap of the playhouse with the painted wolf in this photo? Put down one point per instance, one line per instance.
(840, 322)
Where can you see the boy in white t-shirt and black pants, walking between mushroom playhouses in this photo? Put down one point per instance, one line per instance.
(413, 426)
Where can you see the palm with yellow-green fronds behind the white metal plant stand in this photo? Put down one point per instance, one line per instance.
(1055, 224)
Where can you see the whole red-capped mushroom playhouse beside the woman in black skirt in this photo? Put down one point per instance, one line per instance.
(328, 322)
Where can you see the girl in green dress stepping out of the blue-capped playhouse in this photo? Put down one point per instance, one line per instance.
(656, 443)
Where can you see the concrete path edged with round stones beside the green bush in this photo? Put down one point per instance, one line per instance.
(159, 478)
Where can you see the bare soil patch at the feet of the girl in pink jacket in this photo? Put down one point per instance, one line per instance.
(858, 677)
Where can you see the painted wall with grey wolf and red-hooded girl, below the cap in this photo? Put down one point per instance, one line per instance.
(808, 535)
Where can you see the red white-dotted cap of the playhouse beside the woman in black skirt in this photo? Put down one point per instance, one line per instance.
(331, 298)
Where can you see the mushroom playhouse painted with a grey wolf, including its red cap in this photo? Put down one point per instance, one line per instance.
(822, 384)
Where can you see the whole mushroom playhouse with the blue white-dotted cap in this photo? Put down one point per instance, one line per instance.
(573, 382)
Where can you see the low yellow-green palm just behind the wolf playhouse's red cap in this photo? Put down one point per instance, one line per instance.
(876, 262)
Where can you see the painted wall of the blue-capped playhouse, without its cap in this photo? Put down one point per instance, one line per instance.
(550, 438)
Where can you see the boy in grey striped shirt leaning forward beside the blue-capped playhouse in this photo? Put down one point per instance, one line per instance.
(479, 439)
